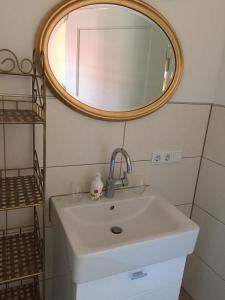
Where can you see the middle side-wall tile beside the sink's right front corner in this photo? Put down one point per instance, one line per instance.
(211, 242)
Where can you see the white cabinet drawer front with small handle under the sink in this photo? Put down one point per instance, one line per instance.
(161, 281)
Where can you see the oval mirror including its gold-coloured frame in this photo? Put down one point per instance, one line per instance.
(115, 60)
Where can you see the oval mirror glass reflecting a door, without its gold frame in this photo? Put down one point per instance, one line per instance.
(111, 57)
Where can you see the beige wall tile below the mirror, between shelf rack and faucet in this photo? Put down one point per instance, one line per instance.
(74, 139)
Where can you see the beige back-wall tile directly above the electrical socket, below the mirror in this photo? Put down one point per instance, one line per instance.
(174, 127)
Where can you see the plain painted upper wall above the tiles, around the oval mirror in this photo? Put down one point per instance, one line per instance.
(199, 25)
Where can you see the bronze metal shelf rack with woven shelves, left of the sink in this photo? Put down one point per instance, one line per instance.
(22, 249)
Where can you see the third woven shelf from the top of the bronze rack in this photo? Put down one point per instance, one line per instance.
(21, 253)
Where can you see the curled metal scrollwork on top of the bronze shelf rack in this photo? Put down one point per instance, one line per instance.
(9, 63)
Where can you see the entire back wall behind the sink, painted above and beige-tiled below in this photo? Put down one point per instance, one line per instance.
(78, 146)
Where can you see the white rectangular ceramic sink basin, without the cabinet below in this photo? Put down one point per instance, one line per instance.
(127, 232)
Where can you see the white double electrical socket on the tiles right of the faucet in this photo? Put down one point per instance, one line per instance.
(166, 157)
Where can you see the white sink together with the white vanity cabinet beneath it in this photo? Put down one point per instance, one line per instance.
(144, 262)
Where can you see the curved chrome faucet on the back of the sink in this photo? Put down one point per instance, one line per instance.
(113, 183)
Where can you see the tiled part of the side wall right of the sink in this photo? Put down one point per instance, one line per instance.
(205, 272)
